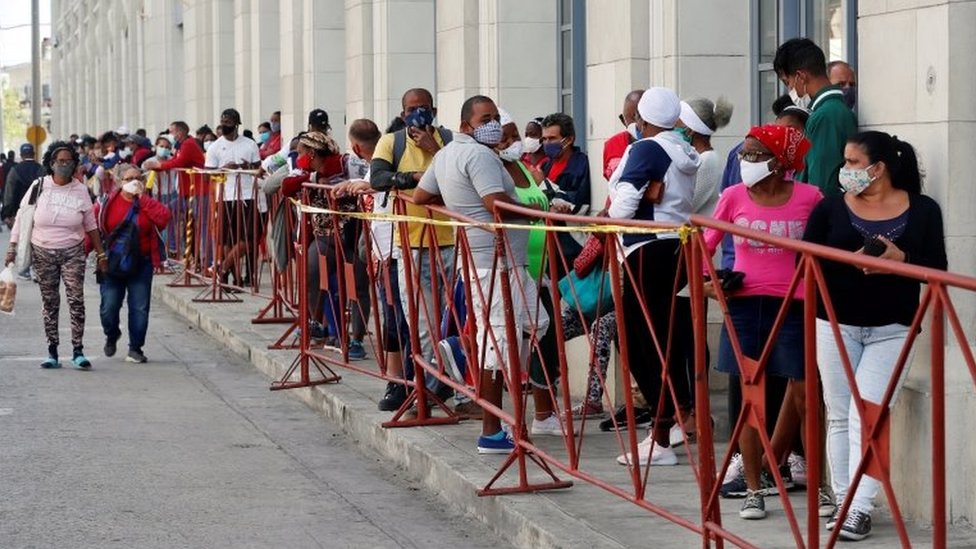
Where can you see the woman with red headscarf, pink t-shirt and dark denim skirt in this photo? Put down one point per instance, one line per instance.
(767, 200)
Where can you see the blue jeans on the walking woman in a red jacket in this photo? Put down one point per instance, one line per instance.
(113, 291)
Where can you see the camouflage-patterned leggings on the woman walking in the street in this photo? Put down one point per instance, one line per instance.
(52, 267)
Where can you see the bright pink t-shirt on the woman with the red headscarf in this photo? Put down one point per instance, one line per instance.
(768, 269)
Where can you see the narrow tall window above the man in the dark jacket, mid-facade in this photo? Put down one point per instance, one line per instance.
(572, 64)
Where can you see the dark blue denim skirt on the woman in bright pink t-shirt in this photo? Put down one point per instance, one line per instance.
(753, 318)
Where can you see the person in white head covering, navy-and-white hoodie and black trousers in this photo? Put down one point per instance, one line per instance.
(661, 159)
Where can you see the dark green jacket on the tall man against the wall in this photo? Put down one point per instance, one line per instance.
(829, 127)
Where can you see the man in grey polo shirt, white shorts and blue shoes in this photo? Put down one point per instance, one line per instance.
(468, 177)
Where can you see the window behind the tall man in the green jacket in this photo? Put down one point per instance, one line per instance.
(832, 24)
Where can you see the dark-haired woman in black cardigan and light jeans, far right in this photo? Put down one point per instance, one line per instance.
(881, 213)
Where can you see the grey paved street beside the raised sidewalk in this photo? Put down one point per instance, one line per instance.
(190, 450)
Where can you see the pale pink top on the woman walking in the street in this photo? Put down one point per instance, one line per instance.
(63, 215)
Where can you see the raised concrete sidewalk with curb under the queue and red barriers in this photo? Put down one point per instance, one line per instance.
(445, 460)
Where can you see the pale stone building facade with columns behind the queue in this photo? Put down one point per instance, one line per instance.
(145, 63)
